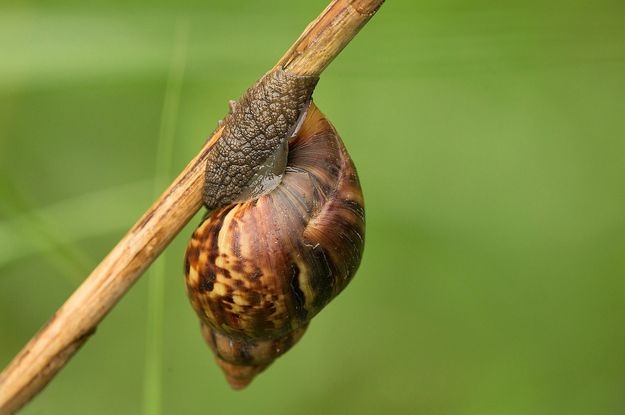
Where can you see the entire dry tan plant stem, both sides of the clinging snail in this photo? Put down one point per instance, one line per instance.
(52, 347)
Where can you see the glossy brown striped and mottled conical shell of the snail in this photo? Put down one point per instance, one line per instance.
(259, 270)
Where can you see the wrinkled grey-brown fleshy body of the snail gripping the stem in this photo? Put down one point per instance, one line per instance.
(250, 157)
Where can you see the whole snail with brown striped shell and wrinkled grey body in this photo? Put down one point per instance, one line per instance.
(284, 231)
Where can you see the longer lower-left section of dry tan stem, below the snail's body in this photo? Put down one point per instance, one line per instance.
(50, 349)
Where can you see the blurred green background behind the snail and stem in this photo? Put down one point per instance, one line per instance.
(490, 142)
